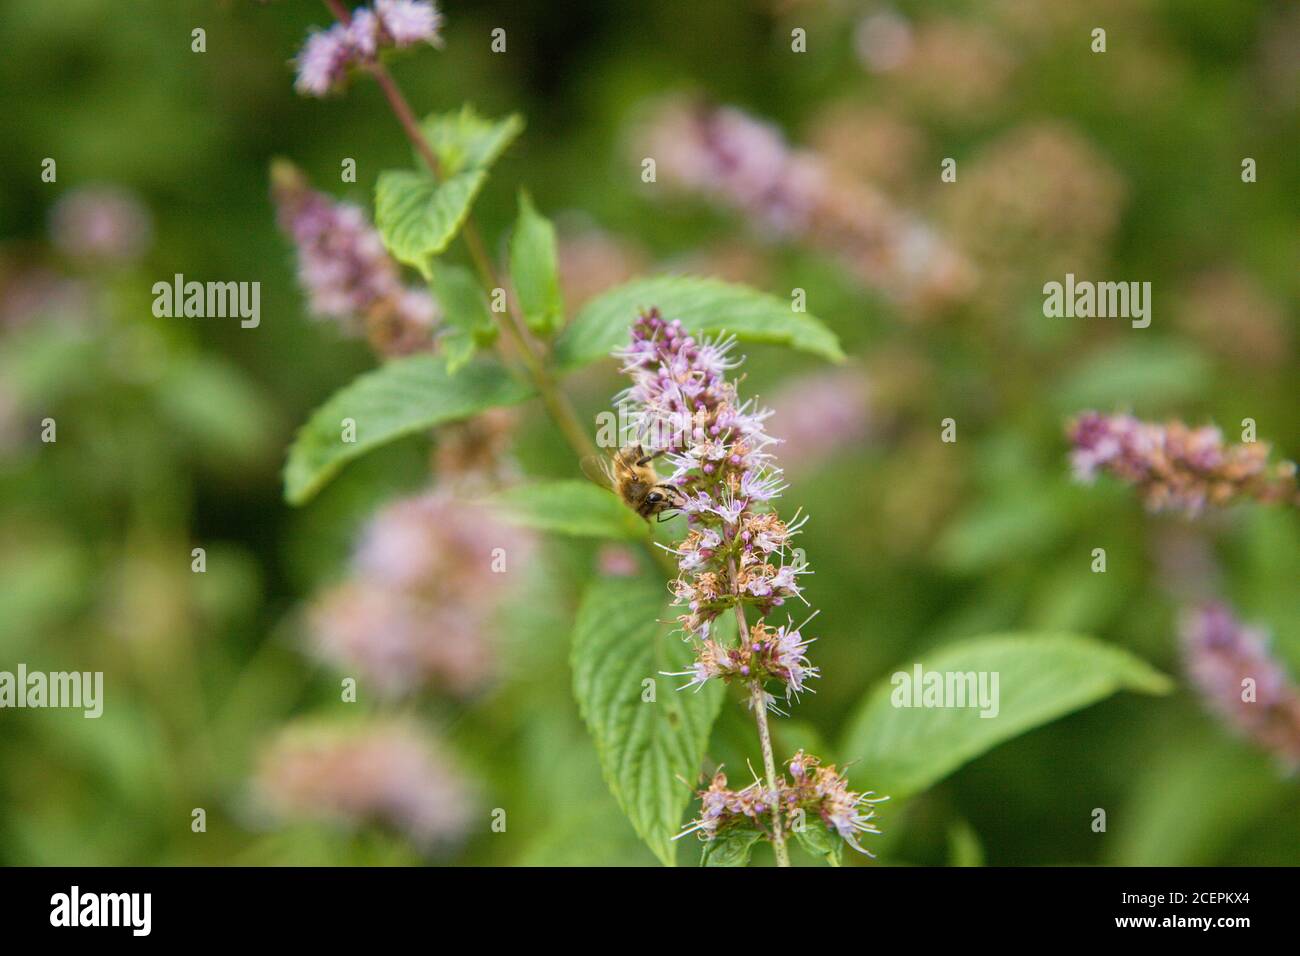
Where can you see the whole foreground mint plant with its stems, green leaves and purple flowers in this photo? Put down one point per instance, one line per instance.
(482, 335)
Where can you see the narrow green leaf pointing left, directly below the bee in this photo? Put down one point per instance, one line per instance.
(571, 508)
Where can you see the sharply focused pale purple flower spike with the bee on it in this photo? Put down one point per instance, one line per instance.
(736, 553)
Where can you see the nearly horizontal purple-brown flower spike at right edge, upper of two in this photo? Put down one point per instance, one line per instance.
(1176, 468)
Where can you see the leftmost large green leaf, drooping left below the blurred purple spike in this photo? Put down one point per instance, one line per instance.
(402, 397)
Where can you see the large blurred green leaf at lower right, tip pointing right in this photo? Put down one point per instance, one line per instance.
(1041, 678)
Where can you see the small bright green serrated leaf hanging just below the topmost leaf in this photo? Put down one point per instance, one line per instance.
(418, 217)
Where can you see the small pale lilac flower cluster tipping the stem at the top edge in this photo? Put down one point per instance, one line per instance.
(330, 55)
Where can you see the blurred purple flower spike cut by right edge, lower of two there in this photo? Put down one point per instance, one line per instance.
(1221, 656)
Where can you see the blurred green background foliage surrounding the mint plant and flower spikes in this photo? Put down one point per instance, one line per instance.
(172, 431)
